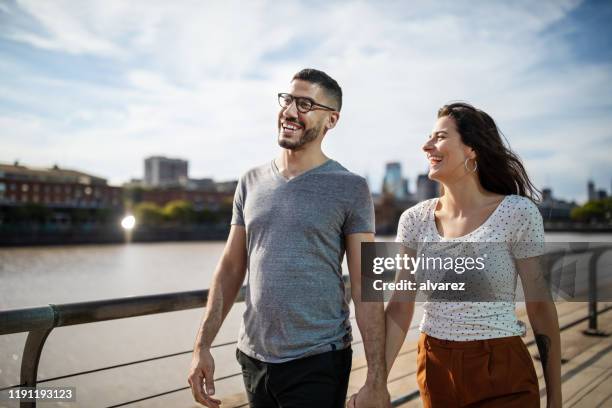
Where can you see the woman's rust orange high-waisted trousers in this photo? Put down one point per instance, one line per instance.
(479, 373)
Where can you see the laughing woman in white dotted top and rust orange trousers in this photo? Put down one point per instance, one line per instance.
(470, 352)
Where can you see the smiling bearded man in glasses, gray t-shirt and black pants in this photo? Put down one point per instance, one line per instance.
(292, 221)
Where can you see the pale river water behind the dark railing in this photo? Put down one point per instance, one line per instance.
(54, 275)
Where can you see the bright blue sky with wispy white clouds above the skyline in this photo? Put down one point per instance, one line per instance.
(97, 86)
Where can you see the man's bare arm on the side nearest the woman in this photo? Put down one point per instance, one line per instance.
(371, 322)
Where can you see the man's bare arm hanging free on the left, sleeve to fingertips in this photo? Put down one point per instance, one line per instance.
(226, 283)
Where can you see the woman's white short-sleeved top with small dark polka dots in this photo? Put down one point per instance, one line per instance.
(516, 230)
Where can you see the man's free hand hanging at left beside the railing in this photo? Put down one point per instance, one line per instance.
(201, 372)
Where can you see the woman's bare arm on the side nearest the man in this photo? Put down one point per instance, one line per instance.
(398, 316)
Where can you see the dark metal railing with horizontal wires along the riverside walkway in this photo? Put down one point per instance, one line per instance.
(39, 322)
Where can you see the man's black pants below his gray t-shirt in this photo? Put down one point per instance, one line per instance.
(319, 381)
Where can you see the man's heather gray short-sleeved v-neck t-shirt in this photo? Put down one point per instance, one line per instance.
(296, 229)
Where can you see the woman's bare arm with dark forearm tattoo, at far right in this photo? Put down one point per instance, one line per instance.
(545, 323)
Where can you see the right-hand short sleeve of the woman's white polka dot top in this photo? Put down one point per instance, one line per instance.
(528, 240)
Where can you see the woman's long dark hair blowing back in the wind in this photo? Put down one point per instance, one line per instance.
(499, 169)
